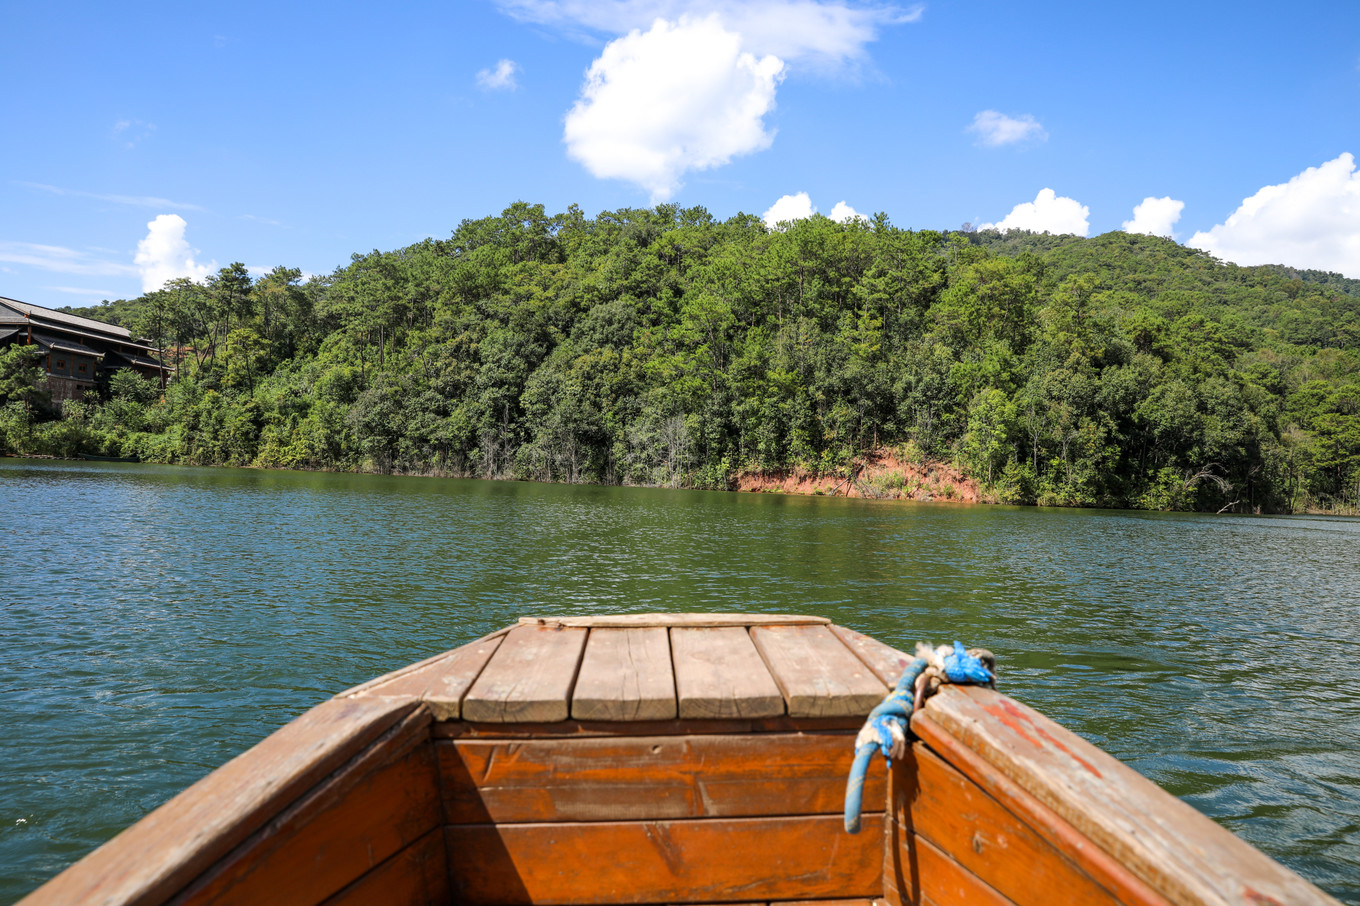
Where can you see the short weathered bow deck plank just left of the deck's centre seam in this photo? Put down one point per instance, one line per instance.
(626, 675)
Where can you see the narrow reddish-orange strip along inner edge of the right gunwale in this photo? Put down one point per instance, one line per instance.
(1066, 839)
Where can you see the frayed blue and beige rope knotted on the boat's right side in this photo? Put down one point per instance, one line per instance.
(886, 728)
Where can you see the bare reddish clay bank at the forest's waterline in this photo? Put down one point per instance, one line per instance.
(879, 475)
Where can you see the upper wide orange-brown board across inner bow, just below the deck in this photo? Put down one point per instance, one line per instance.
(663, 777)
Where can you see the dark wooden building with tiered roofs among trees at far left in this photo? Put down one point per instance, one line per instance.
(77, 352)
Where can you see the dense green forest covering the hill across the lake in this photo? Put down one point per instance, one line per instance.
(666, 348)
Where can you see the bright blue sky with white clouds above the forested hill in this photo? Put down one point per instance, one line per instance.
(152, 141)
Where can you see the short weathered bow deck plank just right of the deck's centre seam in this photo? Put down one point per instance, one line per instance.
(720, 674)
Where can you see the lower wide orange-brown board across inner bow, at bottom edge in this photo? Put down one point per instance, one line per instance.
(720, 860)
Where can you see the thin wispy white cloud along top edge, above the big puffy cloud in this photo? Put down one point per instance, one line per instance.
(817, 32)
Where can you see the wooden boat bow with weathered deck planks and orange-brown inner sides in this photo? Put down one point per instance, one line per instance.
(694, 758)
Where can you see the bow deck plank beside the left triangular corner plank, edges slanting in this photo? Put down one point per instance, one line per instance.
(530, 678)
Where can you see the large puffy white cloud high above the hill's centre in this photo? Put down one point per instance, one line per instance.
(675, 99)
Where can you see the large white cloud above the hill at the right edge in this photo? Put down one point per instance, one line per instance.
(1313, 221)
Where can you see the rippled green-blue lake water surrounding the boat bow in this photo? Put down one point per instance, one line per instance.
(157, 621)
